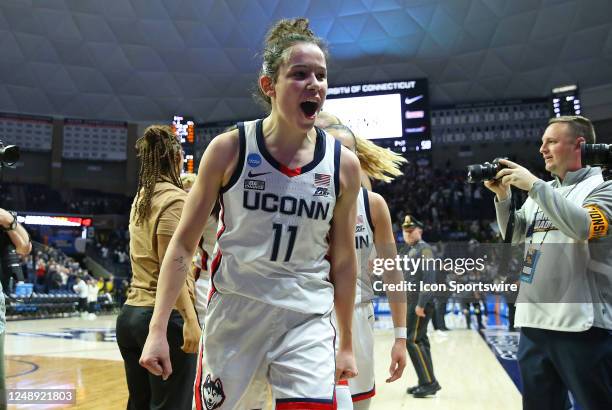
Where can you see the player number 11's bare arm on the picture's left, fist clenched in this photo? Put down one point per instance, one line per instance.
(217, 165)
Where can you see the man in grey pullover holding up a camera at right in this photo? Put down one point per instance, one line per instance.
(562, 345)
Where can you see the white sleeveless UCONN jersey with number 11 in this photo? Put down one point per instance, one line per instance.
(273, 227)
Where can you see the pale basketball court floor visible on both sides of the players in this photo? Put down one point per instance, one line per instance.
(37, 356)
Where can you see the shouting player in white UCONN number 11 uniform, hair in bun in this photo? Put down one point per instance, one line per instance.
(287, 194)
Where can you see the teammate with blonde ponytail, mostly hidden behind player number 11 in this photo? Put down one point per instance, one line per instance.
(373, 238)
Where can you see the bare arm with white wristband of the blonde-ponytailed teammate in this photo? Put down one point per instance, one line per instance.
(384, 241)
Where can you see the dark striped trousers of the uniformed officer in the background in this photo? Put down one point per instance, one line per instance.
(417, 344)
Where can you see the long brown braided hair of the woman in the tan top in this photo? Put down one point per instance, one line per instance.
(158, 150)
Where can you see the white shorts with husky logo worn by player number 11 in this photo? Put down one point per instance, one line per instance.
(249, 346)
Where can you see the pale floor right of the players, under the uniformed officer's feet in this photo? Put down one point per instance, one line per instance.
(470, 376)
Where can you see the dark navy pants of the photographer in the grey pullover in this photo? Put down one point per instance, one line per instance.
(554, 362)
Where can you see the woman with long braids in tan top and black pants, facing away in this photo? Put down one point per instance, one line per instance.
(154, 217)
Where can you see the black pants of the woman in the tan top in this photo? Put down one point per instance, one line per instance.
(147, 391)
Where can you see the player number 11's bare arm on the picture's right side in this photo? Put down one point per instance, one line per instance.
(343, 259)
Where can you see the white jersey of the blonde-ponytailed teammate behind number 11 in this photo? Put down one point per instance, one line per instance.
(364, 247)
